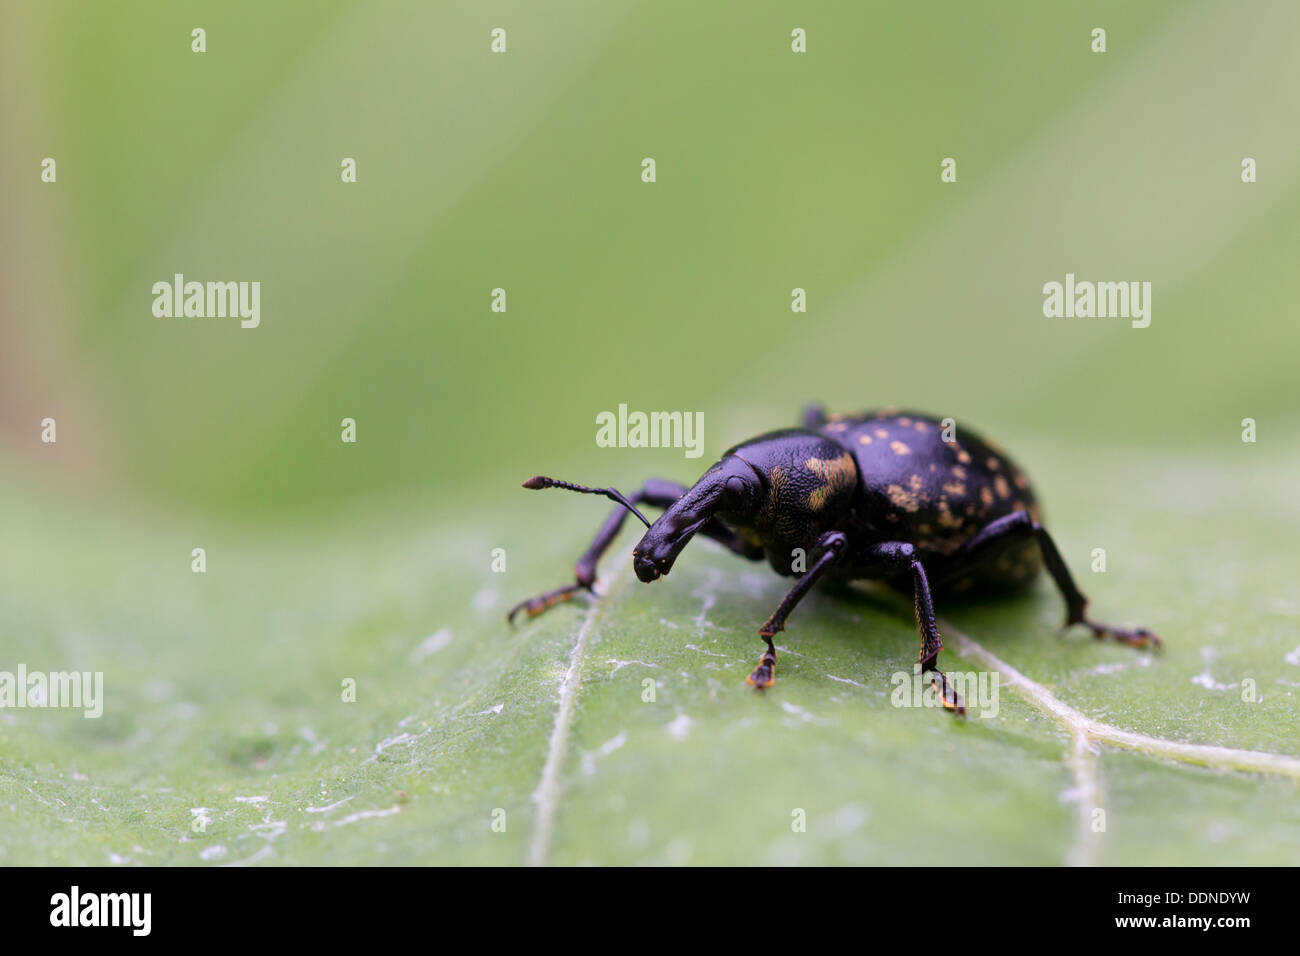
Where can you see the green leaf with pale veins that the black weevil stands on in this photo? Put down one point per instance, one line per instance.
(224, 695)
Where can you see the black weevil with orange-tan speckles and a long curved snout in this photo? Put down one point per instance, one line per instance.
(907, 499)
